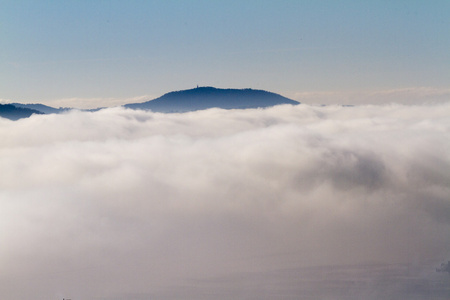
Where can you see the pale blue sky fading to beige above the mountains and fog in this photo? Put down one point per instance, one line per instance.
(103, 53)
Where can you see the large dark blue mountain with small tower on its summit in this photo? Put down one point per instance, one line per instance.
(208, 97)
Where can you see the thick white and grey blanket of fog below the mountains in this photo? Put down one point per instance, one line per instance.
(283, 203)
